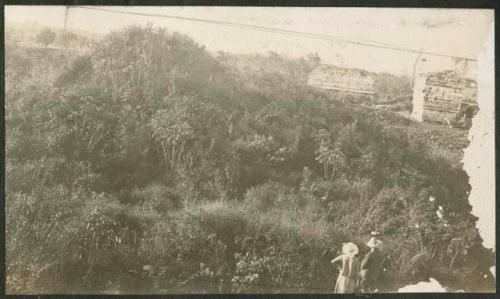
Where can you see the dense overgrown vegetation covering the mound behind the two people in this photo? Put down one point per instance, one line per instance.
(150, 165)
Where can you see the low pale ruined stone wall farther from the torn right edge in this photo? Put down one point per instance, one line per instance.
(342, 79)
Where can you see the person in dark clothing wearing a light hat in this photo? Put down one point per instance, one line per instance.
(372, 267)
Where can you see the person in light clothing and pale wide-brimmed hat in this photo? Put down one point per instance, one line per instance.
(349, 271)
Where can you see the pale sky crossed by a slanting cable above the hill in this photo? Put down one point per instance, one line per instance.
(457, 32)
